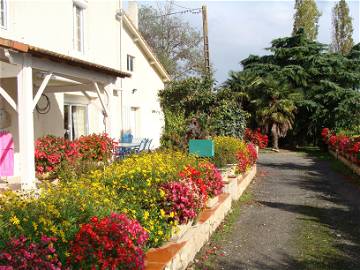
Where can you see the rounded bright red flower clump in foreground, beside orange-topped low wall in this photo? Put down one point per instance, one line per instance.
(110, 243)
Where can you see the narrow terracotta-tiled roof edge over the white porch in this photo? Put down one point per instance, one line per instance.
(58, 57)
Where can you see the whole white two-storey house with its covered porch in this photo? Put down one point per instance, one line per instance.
(74, 67)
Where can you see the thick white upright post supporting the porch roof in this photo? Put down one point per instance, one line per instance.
(26, 125)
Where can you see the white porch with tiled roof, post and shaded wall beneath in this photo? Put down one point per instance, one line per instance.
(59, 85)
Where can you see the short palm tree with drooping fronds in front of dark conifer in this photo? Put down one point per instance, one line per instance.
(276, 109)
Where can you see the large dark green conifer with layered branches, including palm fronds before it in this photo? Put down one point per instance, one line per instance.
(319, 88)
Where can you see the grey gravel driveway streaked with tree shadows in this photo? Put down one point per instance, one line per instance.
(291, 192)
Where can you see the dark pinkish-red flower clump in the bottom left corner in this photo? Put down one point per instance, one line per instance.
(20, 253)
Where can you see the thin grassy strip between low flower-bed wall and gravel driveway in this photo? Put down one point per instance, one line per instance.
(205, 259)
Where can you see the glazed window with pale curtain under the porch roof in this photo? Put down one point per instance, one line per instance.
(75, 121)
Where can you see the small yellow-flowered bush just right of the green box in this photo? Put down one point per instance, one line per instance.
(226, 149)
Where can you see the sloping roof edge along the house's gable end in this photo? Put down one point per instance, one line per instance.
(146, 49)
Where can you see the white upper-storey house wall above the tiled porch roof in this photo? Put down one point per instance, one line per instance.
(48, 24)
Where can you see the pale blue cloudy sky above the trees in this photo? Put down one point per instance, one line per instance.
(240, 28)
